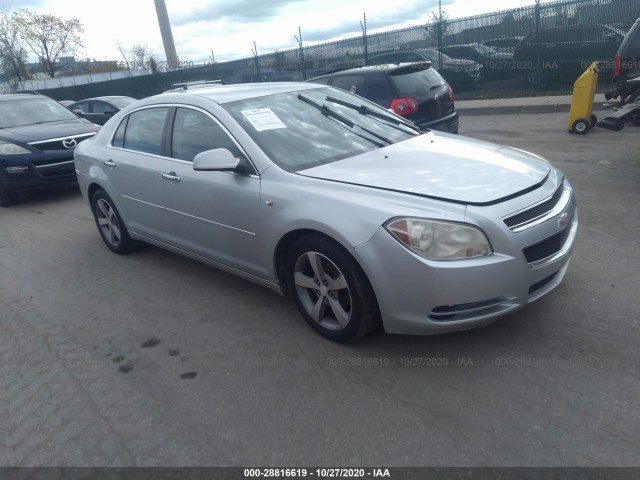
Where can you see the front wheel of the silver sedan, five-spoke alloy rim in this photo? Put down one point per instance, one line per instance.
(346, 312)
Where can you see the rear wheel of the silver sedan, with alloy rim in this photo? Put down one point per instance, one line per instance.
(110, 224)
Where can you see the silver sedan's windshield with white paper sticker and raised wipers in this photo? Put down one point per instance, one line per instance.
(303, 129)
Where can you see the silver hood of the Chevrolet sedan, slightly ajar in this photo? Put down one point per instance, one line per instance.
(447, 167)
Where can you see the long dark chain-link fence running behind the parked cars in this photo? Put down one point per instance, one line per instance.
(535, 50)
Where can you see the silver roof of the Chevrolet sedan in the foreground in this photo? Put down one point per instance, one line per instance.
(231, 93)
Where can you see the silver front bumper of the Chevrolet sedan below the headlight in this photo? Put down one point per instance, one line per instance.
(421, 297)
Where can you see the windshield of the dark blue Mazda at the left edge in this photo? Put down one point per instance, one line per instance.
(31, 111)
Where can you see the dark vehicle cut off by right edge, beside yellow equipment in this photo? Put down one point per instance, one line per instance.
(626, 67)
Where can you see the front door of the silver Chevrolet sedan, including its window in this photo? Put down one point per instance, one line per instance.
(215, 214)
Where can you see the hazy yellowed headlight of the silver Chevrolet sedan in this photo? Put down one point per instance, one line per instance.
(438, 240)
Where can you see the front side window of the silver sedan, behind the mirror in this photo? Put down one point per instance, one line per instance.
(194, 132)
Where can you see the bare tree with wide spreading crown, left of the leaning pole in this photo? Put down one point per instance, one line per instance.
(49, 37)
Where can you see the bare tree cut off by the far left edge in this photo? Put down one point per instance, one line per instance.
(13, 54)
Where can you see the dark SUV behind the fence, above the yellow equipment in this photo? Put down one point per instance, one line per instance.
(562, 54)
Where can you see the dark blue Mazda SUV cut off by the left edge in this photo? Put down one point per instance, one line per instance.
(37, 139)
